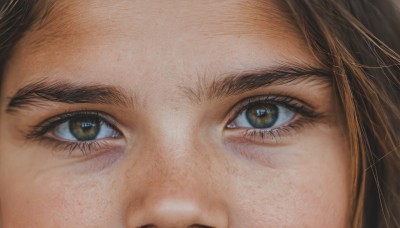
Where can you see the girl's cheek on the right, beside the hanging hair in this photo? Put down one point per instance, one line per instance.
(307, 187)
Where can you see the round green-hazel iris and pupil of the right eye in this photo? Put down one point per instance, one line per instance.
(262, 116)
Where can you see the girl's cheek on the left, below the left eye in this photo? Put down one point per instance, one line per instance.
(52, 200)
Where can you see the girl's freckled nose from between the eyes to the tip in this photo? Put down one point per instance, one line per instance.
(178, 189)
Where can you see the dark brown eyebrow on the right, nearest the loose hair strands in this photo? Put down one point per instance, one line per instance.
(256, 79)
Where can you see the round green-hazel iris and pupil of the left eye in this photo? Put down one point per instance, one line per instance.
(84, 129)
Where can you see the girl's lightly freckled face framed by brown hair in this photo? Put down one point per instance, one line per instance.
(169, 114)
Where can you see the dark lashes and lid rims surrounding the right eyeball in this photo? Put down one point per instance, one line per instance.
(307, 115)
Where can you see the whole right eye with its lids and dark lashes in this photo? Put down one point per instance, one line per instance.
(269, 119)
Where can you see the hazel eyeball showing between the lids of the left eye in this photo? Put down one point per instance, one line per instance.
(87, 128)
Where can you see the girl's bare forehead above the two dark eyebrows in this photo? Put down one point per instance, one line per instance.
(175, 42)
